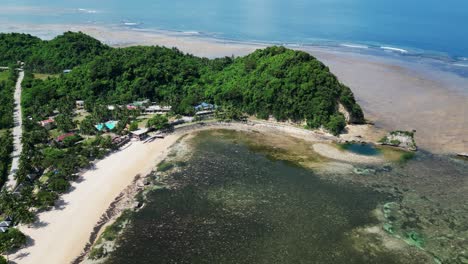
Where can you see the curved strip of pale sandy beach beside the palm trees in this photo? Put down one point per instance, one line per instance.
(61, 234)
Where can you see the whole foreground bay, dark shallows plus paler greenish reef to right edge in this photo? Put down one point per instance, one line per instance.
(247, 197)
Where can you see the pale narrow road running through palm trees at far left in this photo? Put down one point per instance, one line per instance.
(17, 133)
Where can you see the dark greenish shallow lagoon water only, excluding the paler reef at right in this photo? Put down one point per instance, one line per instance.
(234, 203)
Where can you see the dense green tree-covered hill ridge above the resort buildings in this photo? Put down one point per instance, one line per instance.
(290, 85)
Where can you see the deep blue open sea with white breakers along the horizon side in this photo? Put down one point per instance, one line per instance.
(432, 28)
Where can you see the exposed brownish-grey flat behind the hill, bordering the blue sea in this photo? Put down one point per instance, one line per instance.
(394, 94)
